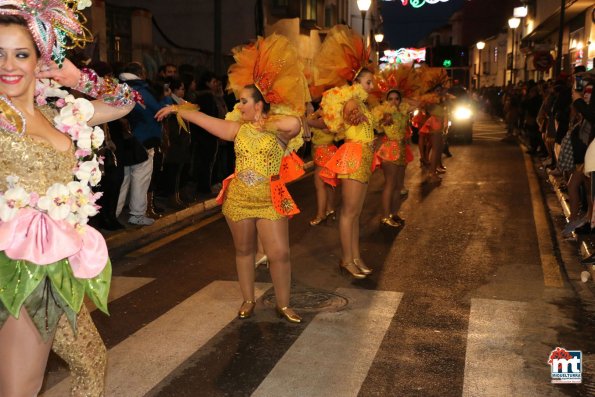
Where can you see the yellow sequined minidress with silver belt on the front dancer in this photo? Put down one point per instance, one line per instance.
(258, 157)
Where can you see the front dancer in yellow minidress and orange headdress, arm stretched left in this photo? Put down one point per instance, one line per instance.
(268, 80)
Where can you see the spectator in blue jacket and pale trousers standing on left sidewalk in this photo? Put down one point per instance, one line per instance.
(138, 178)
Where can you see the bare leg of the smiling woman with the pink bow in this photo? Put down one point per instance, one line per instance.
(24, 357)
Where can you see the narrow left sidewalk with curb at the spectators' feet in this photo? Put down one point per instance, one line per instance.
(123, 241)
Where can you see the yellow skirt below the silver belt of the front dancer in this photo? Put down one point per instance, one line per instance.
(243, 201)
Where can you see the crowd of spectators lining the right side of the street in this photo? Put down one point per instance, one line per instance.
(555, 120)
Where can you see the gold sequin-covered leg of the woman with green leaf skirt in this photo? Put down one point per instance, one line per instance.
(84, 353)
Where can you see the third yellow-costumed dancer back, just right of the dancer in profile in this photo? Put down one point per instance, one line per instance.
(394, 152)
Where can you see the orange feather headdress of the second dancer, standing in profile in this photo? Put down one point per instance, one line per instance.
(342, 56)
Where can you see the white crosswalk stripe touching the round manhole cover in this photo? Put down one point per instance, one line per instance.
(334, 344)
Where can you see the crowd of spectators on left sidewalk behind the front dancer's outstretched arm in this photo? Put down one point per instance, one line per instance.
(151, 164)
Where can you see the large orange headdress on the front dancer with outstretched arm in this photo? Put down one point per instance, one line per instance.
(272, 64)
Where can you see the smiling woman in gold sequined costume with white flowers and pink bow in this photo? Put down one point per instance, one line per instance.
(49, 257)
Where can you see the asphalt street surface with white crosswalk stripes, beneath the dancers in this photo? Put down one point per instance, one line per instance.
(465, 300)
